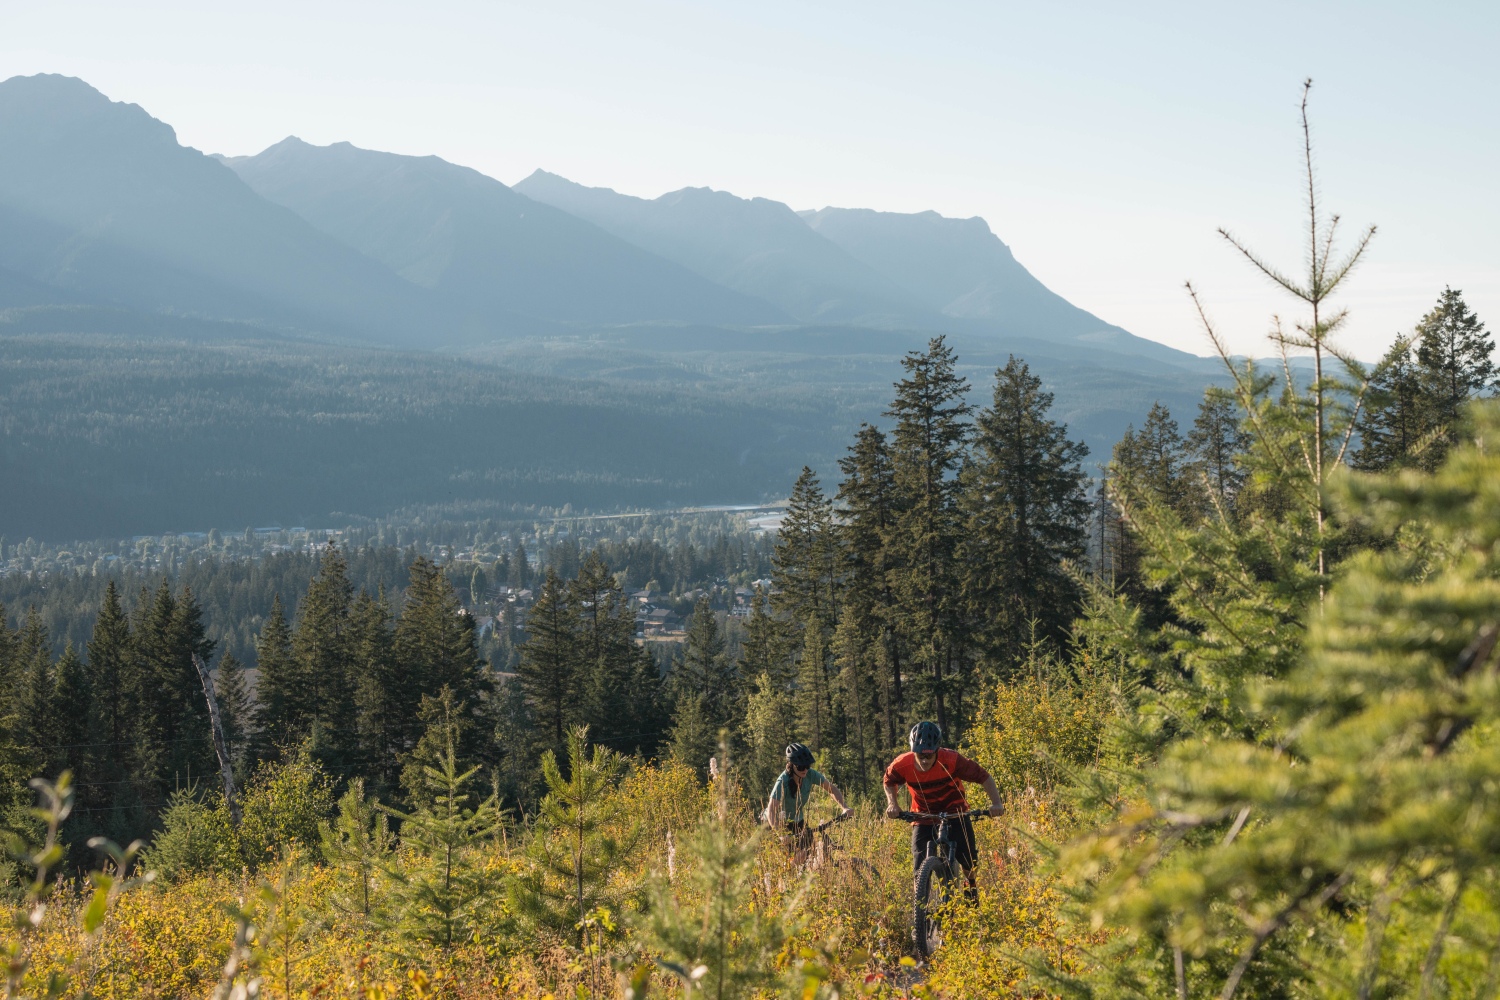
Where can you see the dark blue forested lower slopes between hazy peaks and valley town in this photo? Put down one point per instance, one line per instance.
(107, 436)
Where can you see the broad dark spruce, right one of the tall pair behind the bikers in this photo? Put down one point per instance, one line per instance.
(1027, 516)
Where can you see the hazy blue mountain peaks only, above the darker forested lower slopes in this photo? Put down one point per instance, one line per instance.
(101, 206)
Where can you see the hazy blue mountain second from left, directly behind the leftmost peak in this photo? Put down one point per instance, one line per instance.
(479, 245)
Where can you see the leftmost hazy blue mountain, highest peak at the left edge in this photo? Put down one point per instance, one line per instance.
(104, 203)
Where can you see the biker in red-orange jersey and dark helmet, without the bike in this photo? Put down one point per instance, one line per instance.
(935, 777)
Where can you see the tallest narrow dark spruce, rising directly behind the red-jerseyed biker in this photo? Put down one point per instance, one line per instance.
(928, 449)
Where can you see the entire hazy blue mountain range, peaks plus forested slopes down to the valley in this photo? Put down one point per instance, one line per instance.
(316, 335)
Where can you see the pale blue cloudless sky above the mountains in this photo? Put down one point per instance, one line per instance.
(1103, 142)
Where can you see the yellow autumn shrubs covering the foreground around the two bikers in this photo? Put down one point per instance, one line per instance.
(853, 900)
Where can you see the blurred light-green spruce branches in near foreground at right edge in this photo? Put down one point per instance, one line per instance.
(1346, 846)
